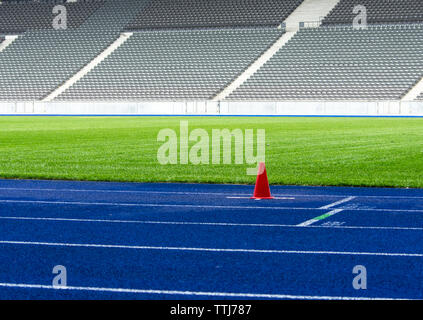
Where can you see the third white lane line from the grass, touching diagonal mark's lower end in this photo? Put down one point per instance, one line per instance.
(222, 224)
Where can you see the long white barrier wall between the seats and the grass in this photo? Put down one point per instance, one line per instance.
(389, 108)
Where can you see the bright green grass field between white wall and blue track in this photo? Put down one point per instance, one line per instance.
(300, 151)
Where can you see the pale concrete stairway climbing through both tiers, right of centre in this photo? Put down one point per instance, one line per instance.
(309, 11)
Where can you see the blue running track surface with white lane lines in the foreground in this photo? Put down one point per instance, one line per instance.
(185, 241)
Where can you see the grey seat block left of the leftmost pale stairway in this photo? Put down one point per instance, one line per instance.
(40, 61)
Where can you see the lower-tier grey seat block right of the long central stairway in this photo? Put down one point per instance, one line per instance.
(339, 63)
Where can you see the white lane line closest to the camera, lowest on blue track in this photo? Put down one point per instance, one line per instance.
(185, 293)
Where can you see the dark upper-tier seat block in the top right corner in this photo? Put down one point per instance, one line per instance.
(378, 11)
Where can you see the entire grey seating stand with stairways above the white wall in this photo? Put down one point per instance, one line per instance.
(220, 50)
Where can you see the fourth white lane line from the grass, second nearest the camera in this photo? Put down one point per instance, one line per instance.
(220, 250)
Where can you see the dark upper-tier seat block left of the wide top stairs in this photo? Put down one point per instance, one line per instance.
(168, 14)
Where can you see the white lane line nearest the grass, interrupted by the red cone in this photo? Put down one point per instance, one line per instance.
(202, 193)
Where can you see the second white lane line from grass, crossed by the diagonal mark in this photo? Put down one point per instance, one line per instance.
(194, 206)
